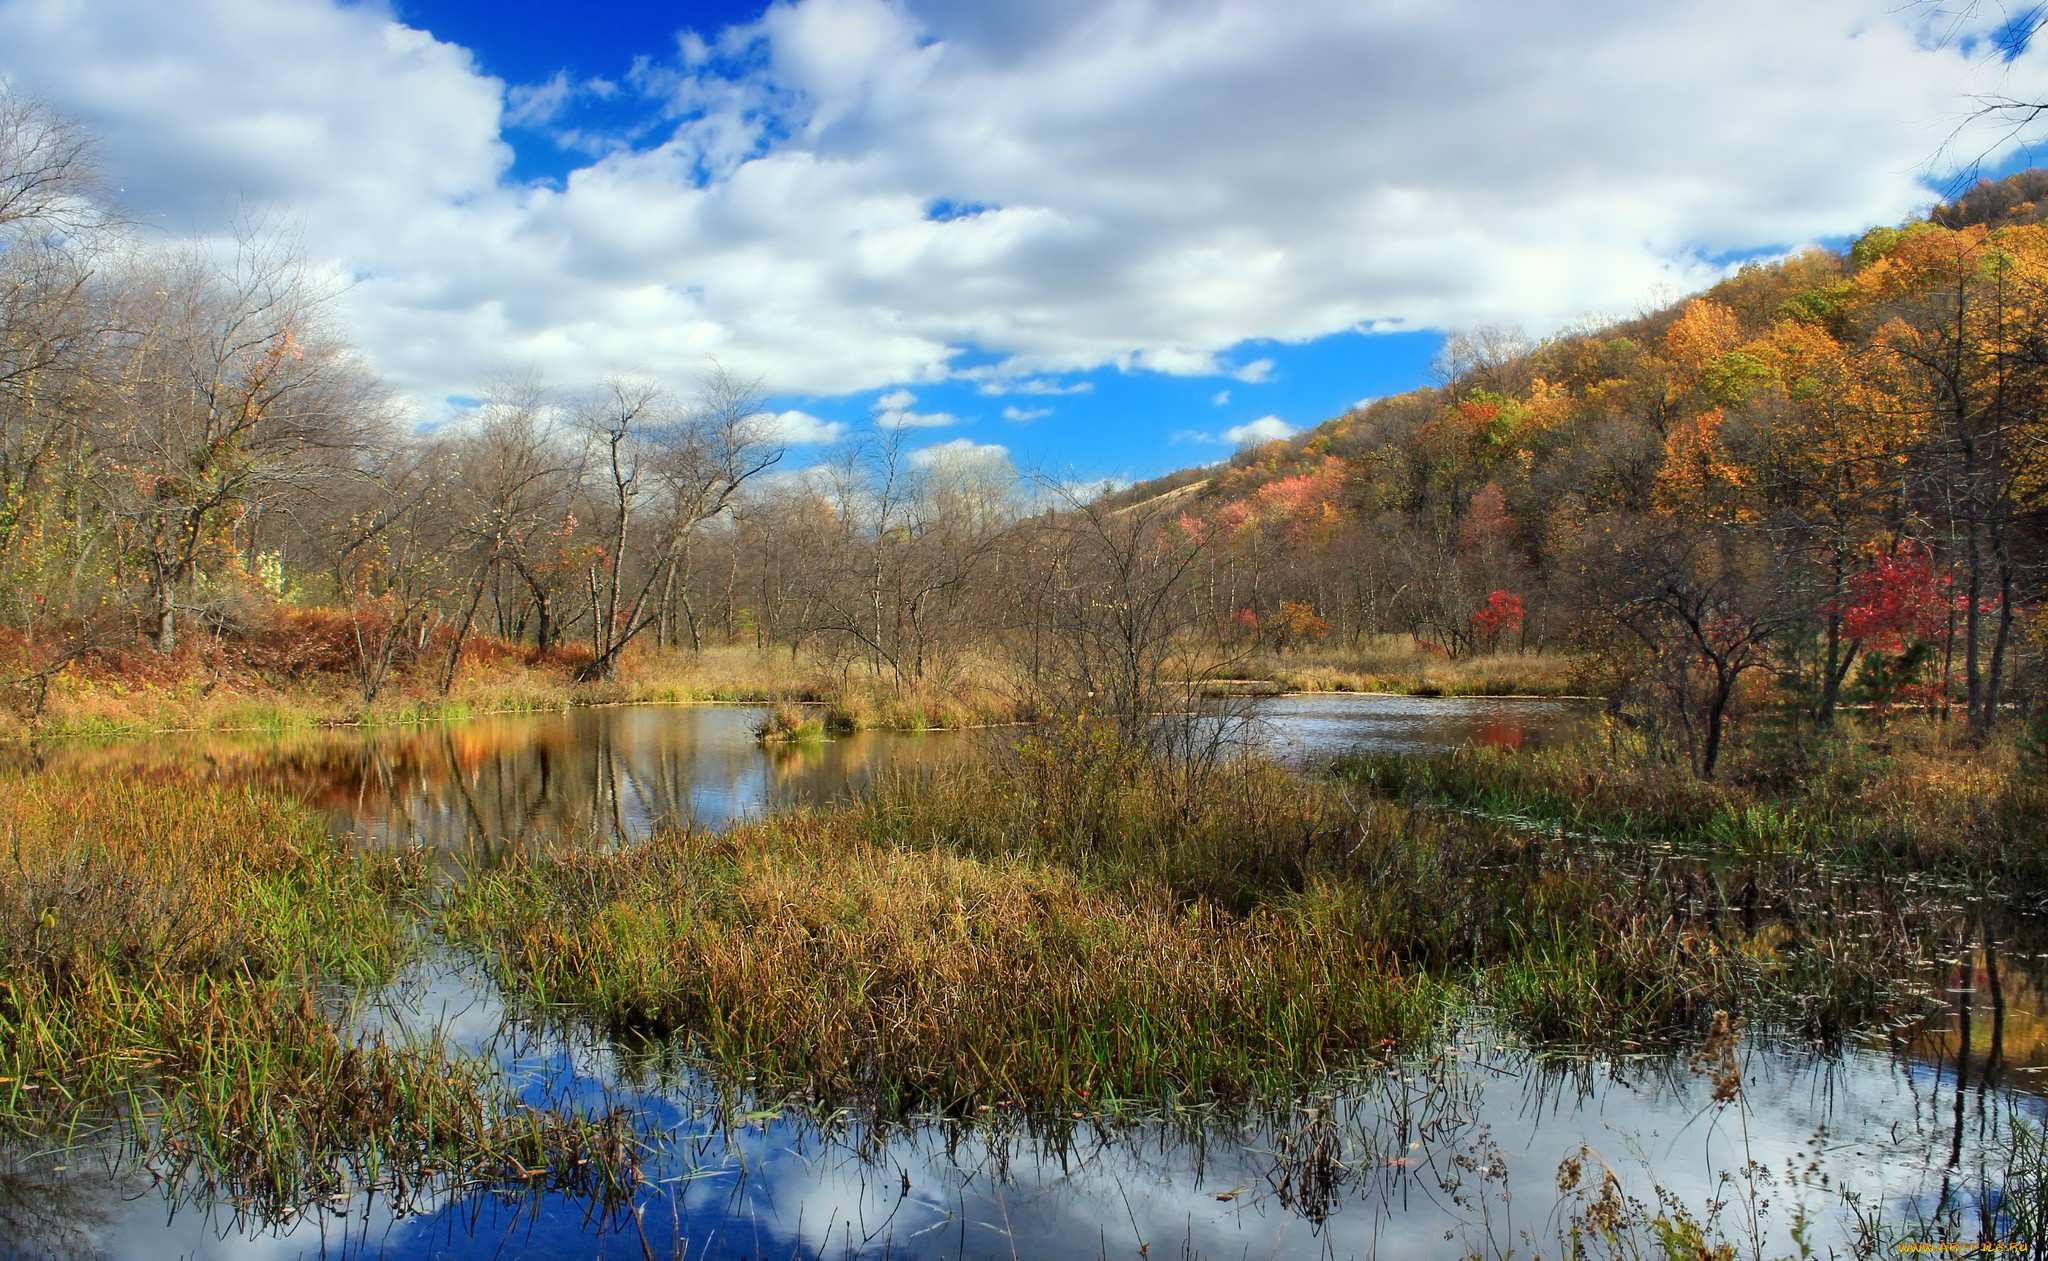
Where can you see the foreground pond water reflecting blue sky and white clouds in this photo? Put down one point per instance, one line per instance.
(1451, 1154)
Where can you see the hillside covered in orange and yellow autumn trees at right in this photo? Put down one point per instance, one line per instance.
(1830, 470)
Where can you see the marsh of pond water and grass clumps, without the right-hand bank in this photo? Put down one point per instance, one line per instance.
(626, 982)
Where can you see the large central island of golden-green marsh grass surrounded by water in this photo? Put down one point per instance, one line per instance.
(1070, 924)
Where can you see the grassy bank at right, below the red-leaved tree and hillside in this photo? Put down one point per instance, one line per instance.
(1914, 799)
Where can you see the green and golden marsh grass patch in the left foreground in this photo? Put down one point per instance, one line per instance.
(175, 961)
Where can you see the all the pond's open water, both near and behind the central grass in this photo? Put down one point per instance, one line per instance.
(1447, 1154)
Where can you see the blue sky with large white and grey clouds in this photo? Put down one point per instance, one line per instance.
(1113, 238)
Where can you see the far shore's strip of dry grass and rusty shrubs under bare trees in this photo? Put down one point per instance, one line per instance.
(300, 675)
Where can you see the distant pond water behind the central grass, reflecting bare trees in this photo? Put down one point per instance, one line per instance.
(617, 773)
